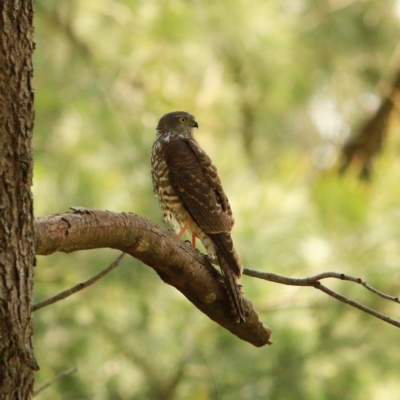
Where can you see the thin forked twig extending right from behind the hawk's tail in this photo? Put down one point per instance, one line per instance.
(314, 281)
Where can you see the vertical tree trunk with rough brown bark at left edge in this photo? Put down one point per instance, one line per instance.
(17, 361)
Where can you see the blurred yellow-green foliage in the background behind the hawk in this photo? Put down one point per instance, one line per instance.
(276, 86)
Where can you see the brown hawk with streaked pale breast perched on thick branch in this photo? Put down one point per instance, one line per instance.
(191, 197)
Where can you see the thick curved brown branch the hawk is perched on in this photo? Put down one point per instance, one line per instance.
(176, 262)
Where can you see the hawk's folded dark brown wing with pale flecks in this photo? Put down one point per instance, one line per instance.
(195, 181)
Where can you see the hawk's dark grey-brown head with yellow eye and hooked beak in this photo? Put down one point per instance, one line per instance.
(179, 123)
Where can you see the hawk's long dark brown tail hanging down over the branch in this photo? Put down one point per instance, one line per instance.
(231, 269)
